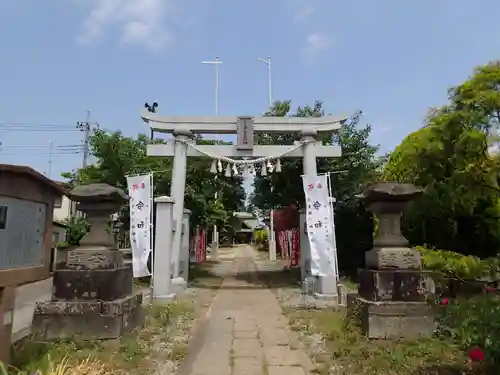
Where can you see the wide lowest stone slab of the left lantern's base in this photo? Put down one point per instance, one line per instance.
(87, 320)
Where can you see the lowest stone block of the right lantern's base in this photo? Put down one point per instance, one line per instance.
(392, 320)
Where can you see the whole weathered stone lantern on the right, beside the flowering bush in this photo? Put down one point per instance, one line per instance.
(392, 288)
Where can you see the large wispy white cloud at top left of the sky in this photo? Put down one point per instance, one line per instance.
(139, 22)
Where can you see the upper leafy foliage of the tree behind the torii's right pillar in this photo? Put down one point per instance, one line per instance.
(356, 165)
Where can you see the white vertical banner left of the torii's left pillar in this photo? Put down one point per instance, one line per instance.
(139, 188)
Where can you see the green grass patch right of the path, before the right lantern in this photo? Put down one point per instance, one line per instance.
(340, 348)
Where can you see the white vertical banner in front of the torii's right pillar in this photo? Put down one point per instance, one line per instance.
(319, 223)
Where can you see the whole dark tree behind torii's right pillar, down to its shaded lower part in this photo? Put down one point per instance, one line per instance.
(358, 165)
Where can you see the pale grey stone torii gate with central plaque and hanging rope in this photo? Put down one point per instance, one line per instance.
(183, 129)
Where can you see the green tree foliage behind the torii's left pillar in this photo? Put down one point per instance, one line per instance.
(118, 156)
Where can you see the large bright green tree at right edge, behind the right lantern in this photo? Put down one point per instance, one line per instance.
(451, 158)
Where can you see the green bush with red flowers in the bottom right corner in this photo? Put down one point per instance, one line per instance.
(473, 323)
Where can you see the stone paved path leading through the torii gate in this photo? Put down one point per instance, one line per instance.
(245, 332)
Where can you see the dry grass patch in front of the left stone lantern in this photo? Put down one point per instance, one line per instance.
(162, 339)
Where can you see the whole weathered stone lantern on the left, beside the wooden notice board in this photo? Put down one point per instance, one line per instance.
(92, 294)
